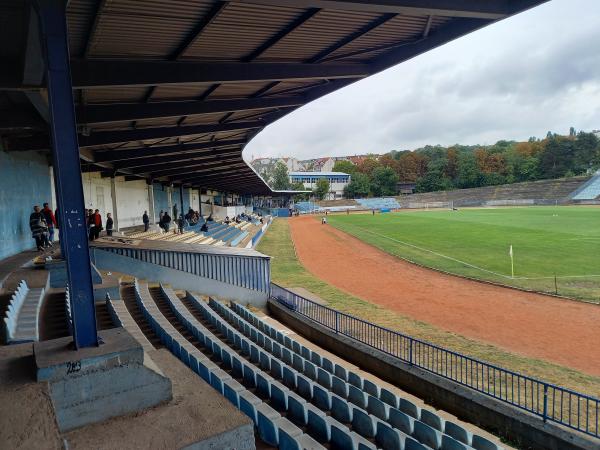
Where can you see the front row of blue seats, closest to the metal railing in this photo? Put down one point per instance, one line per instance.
(380, 402)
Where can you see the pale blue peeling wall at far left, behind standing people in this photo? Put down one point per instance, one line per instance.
(24, 182)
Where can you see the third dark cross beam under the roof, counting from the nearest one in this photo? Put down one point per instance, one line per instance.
(141, 134)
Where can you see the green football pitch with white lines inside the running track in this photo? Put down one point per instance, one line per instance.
(555, 249)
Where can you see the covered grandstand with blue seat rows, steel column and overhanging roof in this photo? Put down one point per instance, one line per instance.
(100, 111)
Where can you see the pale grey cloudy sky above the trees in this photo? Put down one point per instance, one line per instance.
(523, 76)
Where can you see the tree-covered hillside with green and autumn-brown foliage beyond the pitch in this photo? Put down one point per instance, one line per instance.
(438, 168)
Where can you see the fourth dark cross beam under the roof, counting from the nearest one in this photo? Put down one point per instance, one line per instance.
(163, 151)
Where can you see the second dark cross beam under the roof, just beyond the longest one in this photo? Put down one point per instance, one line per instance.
(116, 112)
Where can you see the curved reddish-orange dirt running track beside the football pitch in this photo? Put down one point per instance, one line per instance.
(562, 331)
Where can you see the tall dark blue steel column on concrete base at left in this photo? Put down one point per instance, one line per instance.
(73, 226)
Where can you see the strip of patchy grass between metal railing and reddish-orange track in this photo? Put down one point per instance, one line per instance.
(287, 271)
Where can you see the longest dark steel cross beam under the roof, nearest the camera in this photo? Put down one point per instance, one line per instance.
(98, 73)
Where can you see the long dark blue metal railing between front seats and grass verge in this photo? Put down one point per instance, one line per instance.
(550, 402)
